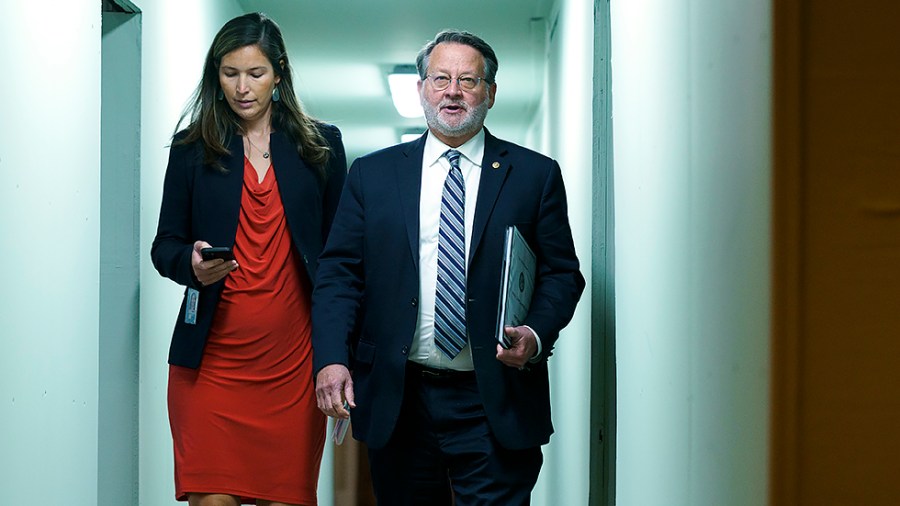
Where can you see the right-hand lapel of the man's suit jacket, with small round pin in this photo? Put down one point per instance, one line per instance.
(495, 167)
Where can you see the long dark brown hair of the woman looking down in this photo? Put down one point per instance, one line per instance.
(213, 121)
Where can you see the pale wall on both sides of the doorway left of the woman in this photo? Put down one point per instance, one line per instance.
(50, 208)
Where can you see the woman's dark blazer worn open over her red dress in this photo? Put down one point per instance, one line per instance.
(202, 203)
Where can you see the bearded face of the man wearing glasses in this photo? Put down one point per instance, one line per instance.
(455, 114)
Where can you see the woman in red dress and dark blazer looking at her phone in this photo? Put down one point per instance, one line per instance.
(254, 173)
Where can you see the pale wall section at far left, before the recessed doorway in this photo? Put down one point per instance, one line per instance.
(50, 236)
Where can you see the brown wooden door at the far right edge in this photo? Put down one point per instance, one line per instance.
(836, 259)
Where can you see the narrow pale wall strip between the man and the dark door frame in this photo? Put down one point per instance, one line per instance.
(562, 129)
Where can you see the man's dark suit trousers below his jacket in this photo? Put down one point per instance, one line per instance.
(442, 451)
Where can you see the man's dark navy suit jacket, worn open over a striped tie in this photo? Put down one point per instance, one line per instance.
(367, 289)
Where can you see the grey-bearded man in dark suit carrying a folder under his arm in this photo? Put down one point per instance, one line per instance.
(405, 304)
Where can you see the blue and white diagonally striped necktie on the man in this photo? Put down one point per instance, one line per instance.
(450, 302)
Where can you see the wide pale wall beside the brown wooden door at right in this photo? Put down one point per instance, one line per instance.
(691, 121)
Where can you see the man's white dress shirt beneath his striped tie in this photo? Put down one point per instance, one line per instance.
(435, 168)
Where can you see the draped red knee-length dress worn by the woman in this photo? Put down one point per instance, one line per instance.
(246, 423)
